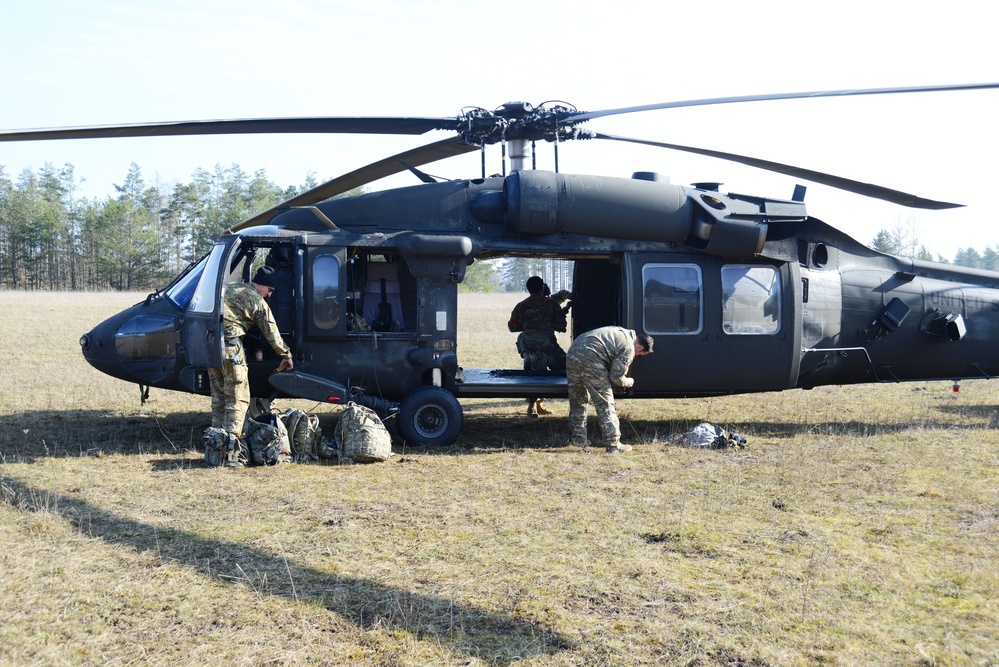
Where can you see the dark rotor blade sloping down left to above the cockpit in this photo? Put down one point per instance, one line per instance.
(387, 167)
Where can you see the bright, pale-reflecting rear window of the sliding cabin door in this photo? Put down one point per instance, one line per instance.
(750, 300)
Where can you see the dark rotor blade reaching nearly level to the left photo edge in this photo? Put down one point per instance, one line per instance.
(316, 125)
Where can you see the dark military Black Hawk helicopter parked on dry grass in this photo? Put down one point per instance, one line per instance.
(741, 293)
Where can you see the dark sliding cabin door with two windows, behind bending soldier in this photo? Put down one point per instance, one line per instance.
(719, 326)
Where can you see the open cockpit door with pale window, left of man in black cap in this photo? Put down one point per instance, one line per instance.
(202, 329)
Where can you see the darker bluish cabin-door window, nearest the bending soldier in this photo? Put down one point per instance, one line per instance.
(672, 298)
